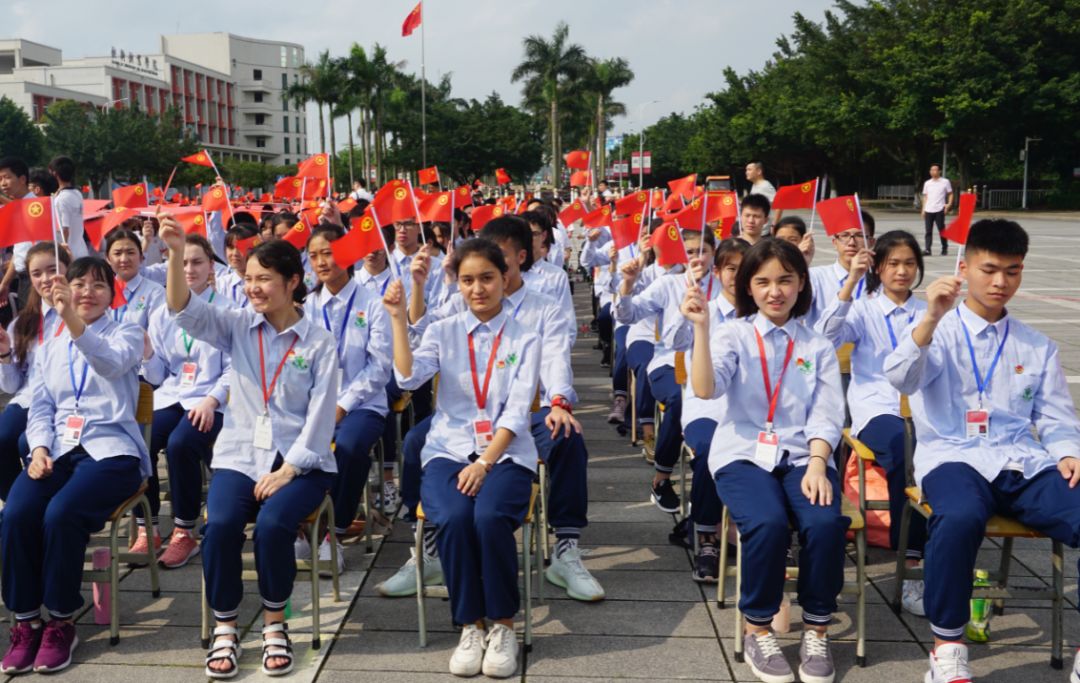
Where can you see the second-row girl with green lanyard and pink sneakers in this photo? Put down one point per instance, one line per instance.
(188, 405)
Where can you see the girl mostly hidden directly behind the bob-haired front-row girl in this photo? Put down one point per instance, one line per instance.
(699, 418)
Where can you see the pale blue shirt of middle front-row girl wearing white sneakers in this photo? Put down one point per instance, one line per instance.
(515, 377)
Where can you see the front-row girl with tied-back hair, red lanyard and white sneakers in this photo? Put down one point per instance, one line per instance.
(479, 461)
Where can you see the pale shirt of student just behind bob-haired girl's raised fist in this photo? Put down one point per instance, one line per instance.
(663, 300)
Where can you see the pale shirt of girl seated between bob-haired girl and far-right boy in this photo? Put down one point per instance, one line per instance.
(875, 325)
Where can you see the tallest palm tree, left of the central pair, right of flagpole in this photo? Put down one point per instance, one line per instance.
(548, 68)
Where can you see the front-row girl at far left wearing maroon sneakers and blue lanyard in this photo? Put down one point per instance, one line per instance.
(88, 457)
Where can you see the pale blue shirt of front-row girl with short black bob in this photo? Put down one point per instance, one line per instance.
(811, 404)
